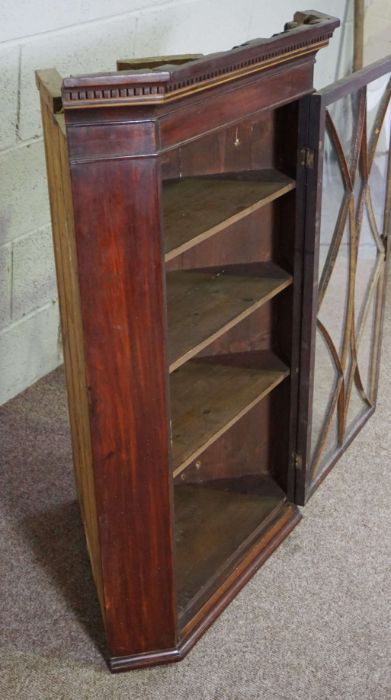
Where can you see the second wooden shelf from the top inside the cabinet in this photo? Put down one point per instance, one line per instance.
(204, 304)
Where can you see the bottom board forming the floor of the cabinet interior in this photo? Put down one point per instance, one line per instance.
(215, 523)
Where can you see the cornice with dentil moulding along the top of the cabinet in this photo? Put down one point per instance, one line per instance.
(307, 33)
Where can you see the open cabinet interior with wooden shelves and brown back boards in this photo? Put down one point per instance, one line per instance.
(228, 215)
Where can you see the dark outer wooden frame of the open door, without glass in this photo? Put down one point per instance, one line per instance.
(311, 153)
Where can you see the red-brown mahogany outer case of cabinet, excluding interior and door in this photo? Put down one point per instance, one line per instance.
(119, 127)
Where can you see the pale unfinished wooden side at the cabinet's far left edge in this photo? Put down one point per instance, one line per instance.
(72, 333)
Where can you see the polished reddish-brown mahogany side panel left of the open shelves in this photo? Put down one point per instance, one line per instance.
(122, 302)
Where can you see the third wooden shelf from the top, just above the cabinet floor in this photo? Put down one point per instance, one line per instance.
(208, 396)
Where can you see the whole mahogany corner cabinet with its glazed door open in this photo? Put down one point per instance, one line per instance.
(193, 278)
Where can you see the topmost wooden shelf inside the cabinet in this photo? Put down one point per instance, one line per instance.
(196, 208)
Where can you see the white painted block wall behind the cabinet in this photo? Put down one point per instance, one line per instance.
(80, 37)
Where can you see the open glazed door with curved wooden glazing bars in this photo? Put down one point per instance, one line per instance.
(345, 153)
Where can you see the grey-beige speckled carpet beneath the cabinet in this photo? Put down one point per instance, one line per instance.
(315, 622)
